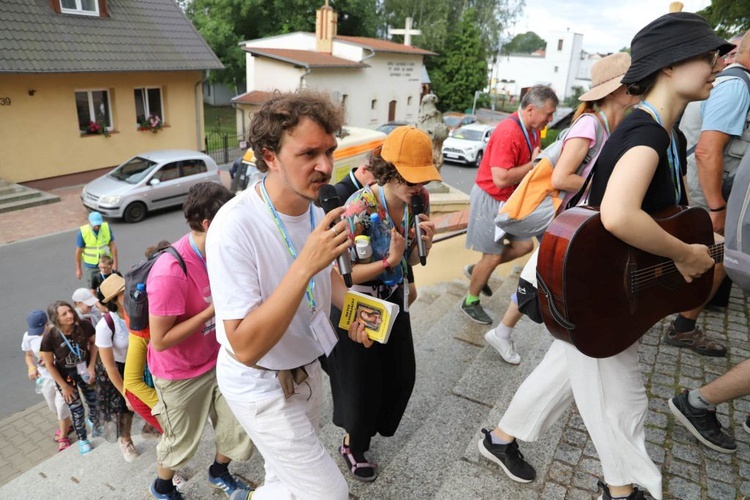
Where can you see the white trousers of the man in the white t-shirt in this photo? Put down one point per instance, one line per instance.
(285, 431)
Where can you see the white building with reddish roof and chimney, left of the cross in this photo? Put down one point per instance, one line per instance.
(375, 80)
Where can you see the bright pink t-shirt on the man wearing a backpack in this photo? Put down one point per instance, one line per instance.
(171, 293)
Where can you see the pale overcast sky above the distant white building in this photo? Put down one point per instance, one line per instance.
(606, 26)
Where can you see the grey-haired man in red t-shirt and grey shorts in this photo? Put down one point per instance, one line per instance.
(509, 156)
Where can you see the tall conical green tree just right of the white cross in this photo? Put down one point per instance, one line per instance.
(462, 69)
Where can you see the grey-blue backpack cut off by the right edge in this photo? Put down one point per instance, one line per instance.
(737, 227)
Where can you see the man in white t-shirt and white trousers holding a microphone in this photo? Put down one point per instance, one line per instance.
(269, 254)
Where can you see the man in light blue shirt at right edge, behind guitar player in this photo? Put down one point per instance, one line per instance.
(718, 135)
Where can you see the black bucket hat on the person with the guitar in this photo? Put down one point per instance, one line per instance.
(669, 39)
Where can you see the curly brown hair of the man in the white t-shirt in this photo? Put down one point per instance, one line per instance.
(283, 112)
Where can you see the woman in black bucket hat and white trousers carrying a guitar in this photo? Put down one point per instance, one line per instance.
(639, 172)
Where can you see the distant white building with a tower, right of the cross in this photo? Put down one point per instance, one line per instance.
(562, 65)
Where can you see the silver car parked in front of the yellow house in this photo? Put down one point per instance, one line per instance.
(149, 181)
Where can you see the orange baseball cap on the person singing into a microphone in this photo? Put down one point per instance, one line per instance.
(410, 151)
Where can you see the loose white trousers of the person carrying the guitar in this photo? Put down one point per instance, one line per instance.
(611, 399)
